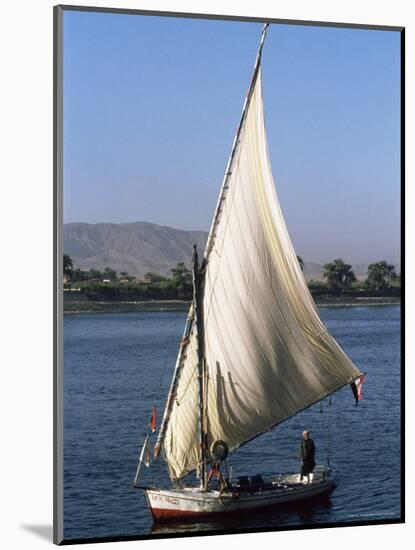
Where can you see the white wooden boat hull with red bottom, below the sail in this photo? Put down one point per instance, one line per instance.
(168, 504)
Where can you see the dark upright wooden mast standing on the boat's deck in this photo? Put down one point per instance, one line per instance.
(198, 308)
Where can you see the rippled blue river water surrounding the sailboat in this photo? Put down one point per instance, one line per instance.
(118, 365)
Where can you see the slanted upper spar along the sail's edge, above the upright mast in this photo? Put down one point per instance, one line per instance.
(228, 171)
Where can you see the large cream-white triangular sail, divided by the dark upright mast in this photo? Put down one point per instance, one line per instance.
(268, 354)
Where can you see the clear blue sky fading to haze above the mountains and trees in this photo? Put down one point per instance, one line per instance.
(151, 105)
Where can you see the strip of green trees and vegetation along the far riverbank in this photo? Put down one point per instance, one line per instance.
(108, 285)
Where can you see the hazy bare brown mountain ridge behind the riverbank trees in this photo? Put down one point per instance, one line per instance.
(142, 247)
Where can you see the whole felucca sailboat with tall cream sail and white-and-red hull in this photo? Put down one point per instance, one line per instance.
(254, 351)
